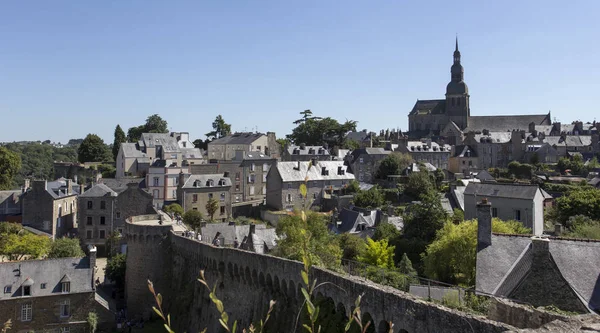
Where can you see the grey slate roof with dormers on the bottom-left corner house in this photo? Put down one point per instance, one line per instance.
(49, 271)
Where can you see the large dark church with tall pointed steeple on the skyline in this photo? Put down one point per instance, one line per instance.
(450, 118)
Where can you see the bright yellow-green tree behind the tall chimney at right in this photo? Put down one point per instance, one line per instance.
(452, 255)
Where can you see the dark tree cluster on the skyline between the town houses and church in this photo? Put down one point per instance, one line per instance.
(312, 131)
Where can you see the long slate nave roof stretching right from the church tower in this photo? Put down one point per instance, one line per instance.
(505, 123)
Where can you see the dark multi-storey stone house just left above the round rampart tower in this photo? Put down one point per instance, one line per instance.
(103, 211)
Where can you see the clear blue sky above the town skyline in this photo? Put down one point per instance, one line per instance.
(68, 68)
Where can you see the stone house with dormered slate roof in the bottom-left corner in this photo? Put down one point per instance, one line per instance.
(51, 295)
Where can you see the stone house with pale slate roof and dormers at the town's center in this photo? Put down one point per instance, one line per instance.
(323, 178)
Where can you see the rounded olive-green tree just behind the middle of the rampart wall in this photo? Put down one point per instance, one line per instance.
(322, 248)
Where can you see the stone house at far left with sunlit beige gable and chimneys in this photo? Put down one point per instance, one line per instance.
(51, 207)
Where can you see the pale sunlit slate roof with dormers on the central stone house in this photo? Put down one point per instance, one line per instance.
(289, 173)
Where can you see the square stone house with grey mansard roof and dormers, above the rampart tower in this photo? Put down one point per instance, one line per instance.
(195, 191)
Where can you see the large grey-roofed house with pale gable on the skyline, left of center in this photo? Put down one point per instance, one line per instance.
(225, 148)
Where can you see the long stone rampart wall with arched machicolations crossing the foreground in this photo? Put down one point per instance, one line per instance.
(247, 281)
